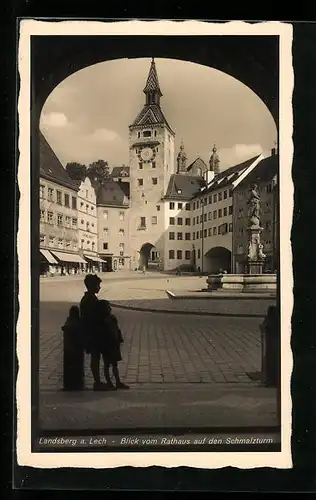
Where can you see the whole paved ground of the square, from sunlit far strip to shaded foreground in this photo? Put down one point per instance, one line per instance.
(182, 368)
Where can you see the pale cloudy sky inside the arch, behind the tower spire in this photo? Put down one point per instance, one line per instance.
(86, 117)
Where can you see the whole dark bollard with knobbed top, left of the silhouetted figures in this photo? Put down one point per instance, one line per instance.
(73, 372)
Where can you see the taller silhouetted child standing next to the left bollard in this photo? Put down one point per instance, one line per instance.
(88, 313)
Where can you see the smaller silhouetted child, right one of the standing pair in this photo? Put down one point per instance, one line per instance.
(110, 339)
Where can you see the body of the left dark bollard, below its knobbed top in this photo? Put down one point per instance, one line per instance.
(73, 361)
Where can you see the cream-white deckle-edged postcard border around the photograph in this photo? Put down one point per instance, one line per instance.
(204, 460)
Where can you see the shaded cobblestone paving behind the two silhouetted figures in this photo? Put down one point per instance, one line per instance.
(162, 348)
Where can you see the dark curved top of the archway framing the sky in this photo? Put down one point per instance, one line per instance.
(252, 59)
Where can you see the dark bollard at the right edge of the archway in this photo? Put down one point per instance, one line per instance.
(270, 352)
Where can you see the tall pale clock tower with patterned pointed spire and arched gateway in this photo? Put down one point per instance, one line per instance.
(151, 142)
